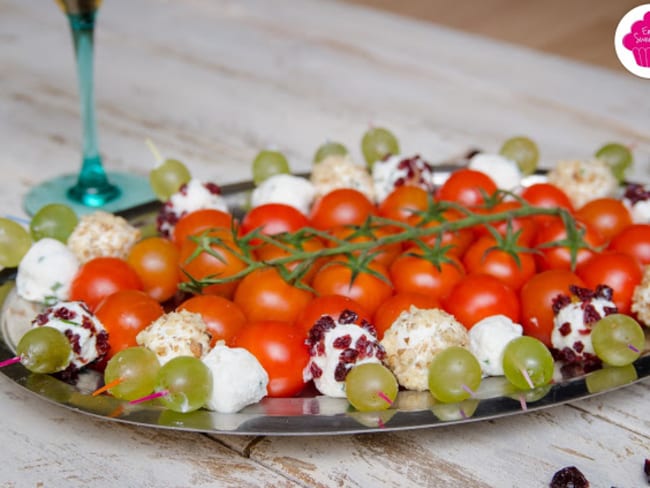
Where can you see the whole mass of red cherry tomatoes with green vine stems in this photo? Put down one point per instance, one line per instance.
(514, 266)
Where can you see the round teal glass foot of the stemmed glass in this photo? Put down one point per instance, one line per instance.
(130, 190)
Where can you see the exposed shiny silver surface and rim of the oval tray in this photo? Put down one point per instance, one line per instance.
(308, 414)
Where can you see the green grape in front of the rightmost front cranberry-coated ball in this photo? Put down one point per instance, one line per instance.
(617, 339)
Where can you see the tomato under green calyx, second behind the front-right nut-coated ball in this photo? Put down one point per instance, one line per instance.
(412, 273)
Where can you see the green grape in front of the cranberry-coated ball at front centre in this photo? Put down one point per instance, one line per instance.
(370, 387)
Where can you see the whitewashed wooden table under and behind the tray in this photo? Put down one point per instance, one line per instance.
(214, 81)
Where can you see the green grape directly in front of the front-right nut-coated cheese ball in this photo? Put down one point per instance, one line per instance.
(454, 373)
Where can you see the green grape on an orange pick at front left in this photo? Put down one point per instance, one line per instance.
(136, 368)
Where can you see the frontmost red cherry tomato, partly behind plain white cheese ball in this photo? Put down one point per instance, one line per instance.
(280, 348)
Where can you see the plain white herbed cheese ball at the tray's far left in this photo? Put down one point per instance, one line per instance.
(46, 272)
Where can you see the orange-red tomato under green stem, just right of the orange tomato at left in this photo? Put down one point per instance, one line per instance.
(222, 261)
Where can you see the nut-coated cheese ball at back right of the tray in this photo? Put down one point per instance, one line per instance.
(583, 181)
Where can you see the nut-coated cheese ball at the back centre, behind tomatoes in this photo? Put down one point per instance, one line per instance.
(337, 171)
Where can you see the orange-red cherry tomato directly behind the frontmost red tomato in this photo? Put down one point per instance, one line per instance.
(264, 295)
